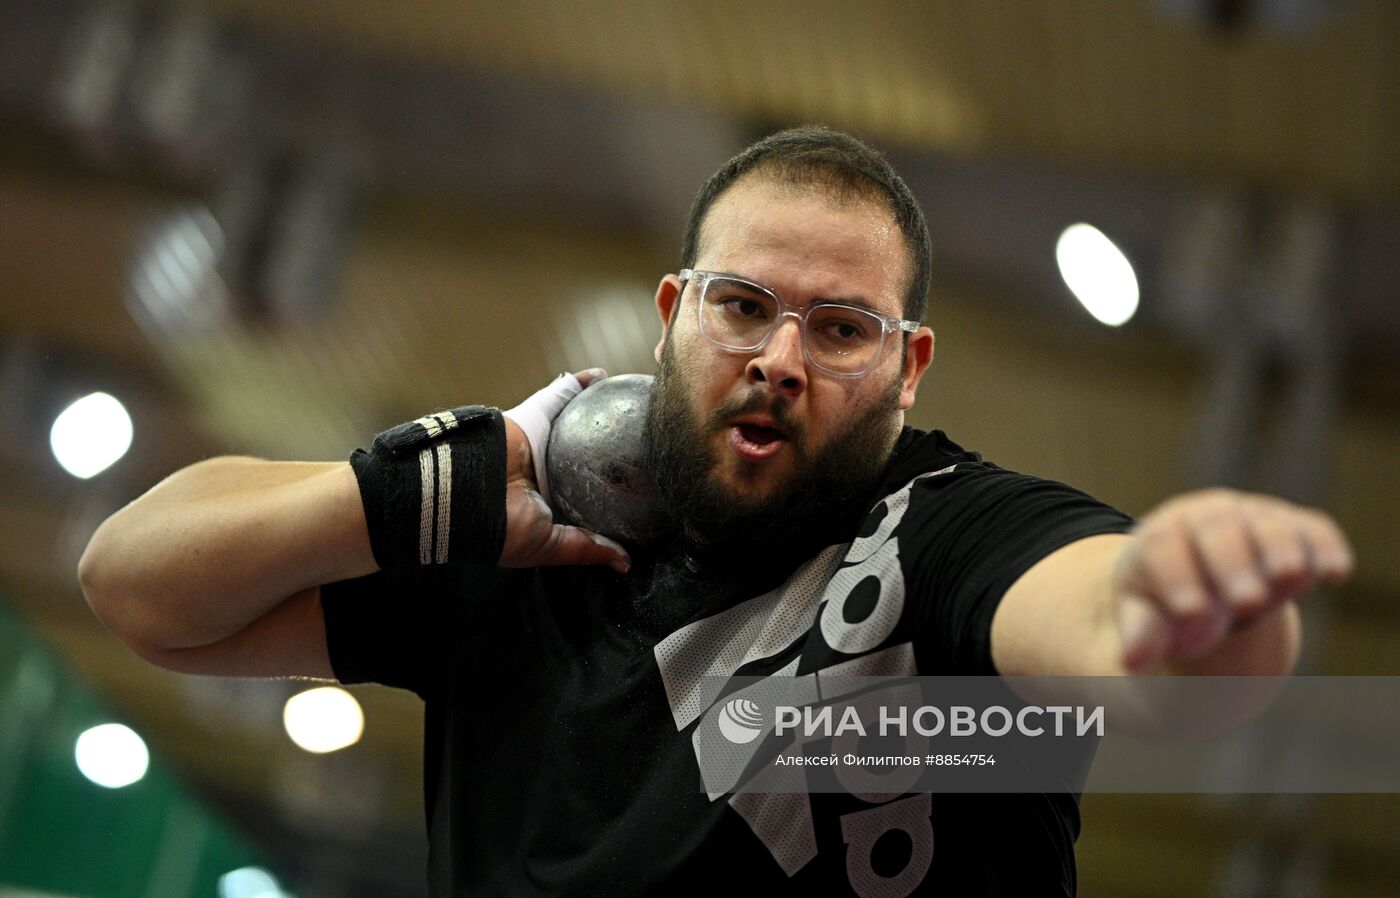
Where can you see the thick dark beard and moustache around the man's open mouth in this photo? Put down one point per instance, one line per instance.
(821, 501)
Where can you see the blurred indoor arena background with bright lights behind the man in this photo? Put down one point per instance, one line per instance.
(1167, 243)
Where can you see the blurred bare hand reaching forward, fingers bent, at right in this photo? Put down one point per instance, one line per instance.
(1209, 565)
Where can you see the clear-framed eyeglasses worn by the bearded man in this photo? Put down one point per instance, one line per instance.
(838, 338)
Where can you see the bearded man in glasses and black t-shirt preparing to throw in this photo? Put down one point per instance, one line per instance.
(807, 530)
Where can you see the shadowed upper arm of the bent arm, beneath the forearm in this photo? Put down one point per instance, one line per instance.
(289, 641)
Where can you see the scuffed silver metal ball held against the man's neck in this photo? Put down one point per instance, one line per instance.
(597, 460)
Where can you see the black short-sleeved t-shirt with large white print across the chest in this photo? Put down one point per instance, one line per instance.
(562, 703)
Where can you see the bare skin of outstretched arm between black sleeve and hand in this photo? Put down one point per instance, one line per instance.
(1055, 621)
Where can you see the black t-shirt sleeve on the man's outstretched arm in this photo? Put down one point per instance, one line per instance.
(974, 532)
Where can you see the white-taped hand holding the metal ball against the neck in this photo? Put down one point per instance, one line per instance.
(533, 539)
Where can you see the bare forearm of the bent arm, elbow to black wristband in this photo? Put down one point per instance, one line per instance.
(218, 546)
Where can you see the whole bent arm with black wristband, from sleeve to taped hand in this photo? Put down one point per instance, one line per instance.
(219, 568)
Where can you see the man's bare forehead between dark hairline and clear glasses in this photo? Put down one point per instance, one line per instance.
(806, 243)
